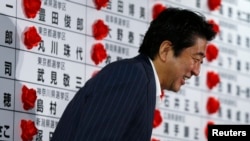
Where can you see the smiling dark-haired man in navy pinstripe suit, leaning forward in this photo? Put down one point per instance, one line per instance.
(118, 103)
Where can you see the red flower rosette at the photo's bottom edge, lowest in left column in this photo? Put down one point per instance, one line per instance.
(28, 130)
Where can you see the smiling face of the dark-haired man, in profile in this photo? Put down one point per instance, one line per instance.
(178, 69)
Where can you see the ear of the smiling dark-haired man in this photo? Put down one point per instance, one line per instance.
(165, 49)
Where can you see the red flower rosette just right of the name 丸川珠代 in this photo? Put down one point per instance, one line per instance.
(98, 53)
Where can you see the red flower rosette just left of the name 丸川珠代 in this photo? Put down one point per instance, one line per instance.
(31, 38)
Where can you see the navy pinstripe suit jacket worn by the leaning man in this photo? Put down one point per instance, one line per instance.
(115, 105)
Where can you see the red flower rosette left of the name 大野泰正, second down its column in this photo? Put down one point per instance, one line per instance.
(100, 30)
